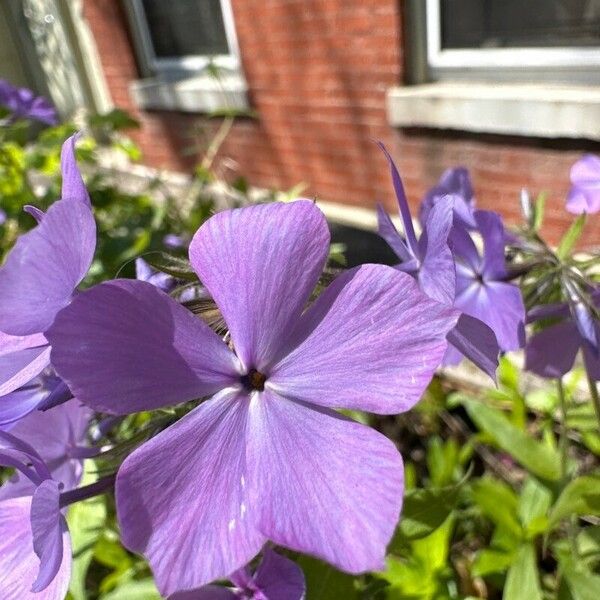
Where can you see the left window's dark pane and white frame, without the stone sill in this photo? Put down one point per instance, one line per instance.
(183, 36)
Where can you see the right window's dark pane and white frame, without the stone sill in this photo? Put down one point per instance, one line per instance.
(515, 40)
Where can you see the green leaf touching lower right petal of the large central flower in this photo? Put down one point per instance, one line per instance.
(424, 511)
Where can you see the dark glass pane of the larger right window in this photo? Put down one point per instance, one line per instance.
(519, 23)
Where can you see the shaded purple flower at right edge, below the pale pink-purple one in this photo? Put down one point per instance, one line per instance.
(551, 352)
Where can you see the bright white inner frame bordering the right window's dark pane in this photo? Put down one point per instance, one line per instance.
(559, 57)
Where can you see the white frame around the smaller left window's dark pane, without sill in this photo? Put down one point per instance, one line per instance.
(191, 63)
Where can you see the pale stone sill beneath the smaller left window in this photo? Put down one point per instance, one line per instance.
(198, 94)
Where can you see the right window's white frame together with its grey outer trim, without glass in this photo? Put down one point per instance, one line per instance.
(501, 62)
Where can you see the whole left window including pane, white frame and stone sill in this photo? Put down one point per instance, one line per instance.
(178, 42)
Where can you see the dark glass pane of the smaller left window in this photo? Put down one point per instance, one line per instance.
(186, 27)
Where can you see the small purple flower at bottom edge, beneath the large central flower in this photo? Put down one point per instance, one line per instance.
(276, 578)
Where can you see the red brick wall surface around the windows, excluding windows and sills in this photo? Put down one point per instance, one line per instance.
(318, 71)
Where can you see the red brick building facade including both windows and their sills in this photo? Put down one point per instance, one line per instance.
(512, 95)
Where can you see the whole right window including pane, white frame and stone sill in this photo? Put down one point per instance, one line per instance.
(513, 67)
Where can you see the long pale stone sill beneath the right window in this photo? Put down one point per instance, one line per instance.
(514, 109)
